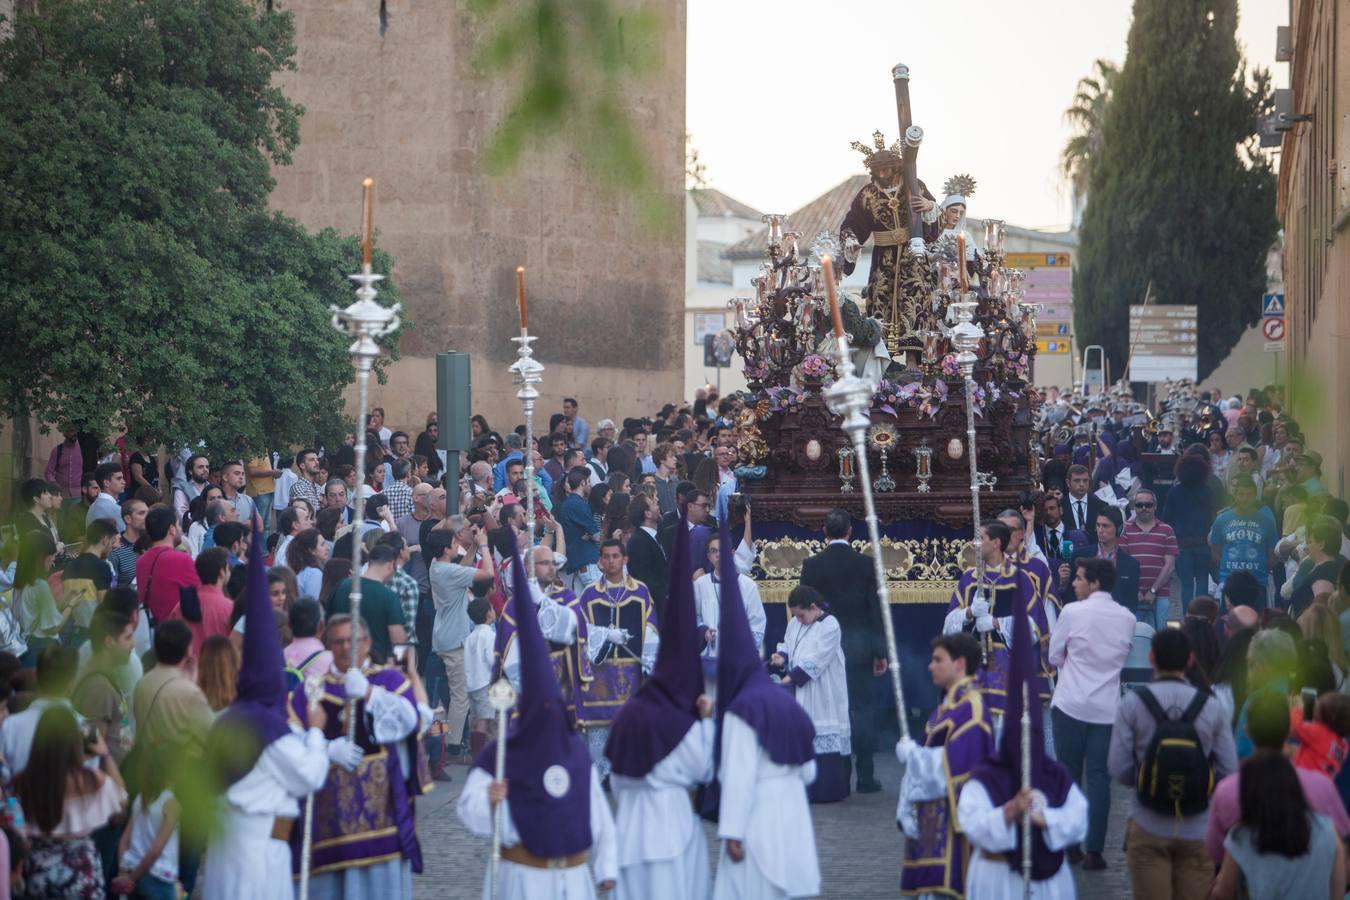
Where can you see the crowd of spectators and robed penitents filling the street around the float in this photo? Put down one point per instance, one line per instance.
(153, 605)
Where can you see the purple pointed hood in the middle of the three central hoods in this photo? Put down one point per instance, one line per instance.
(653, 724)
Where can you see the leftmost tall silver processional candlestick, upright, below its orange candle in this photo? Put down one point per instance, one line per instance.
(365, 322)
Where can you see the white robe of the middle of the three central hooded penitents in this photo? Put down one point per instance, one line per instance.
(662, 851)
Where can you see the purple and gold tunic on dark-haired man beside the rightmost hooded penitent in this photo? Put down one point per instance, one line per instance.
(935, 863)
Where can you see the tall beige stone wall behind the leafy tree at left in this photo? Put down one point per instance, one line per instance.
(410, 110)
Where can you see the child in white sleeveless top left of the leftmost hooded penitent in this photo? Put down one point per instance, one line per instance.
(149, 851)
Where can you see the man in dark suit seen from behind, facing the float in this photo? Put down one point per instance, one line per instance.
(848, 582)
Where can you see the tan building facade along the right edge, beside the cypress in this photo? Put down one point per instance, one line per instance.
(1314, 207)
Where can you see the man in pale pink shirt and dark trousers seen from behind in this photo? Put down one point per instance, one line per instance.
(1089, 646)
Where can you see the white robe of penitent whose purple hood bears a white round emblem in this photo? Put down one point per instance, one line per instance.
(526, 883)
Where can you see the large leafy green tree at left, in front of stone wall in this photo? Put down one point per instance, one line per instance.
(146, 284)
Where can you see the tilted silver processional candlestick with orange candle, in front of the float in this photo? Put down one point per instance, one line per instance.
(851, 397)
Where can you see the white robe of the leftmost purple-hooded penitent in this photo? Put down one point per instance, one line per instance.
(244, 863)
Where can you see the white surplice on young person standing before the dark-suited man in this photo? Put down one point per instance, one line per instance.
(817, 650)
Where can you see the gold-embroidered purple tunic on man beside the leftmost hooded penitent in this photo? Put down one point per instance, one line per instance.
(364, 817)
